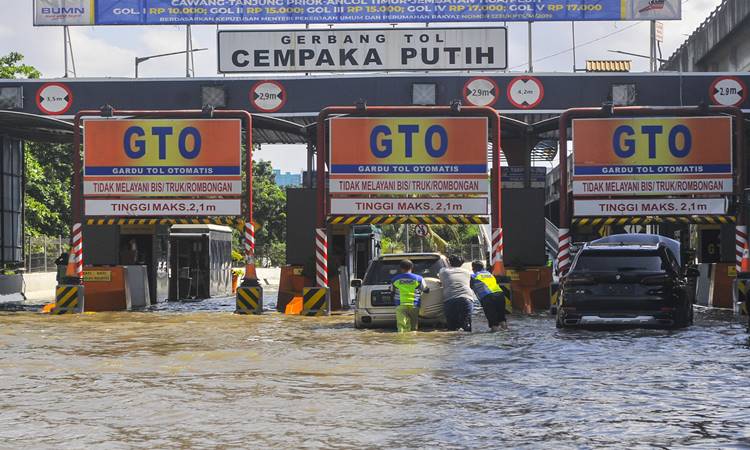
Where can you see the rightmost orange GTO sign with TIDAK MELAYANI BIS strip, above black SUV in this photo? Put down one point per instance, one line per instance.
(652, 156)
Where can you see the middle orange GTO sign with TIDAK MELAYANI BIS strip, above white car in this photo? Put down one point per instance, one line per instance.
(415, 156)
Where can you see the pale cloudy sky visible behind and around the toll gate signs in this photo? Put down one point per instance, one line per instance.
(109, 51)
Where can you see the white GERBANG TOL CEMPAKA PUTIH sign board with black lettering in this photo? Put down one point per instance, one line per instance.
(336, 50)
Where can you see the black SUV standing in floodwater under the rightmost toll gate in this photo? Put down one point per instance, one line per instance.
(625, 283)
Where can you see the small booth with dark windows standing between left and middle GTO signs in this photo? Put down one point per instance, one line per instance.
(200, 262)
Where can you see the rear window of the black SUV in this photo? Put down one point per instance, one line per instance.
(619, 261)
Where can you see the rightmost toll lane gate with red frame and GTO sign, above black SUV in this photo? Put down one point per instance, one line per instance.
(678, 172)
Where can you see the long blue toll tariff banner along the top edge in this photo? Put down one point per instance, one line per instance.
(258, 12)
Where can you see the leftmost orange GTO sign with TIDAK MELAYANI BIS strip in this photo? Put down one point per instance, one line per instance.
(164, 158)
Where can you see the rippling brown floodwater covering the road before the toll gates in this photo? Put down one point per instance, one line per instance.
(197, 376)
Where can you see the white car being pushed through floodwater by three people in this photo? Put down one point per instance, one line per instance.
(374, 305)
